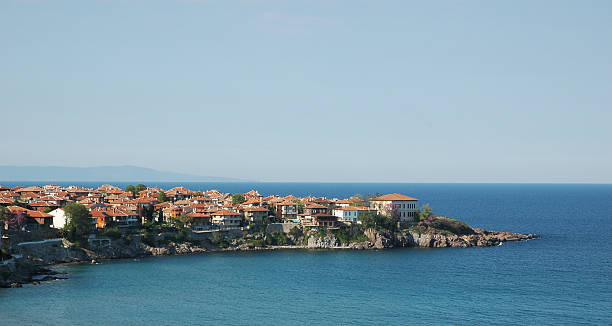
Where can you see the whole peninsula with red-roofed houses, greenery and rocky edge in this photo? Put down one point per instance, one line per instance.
(43, 226)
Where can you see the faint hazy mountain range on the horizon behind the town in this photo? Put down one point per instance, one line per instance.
(123, 173)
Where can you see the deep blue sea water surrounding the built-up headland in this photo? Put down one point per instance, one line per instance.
(563, 278)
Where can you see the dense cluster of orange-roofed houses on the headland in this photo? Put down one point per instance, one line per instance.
(111, 206)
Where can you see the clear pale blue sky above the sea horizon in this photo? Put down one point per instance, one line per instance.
(334, 91)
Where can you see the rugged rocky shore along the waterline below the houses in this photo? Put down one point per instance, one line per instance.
(31, 264)
